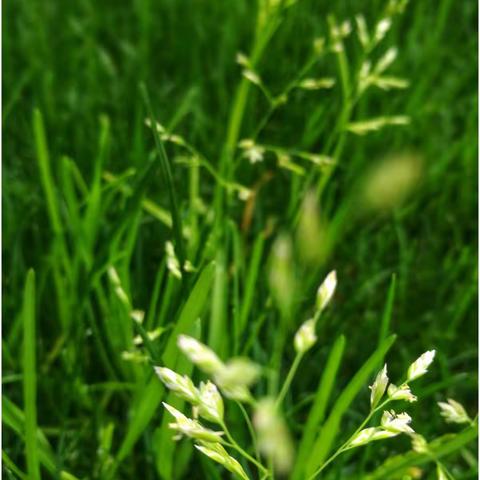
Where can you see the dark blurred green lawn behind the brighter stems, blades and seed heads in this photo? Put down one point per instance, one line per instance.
(80, 61)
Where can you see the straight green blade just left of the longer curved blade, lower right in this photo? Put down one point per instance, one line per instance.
(319, 407)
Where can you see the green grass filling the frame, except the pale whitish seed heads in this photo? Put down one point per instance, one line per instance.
(91, 195)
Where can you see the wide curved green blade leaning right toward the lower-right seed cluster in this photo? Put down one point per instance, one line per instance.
(325, 439)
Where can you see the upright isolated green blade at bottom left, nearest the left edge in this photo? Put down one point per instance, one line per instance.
(30, 377)
